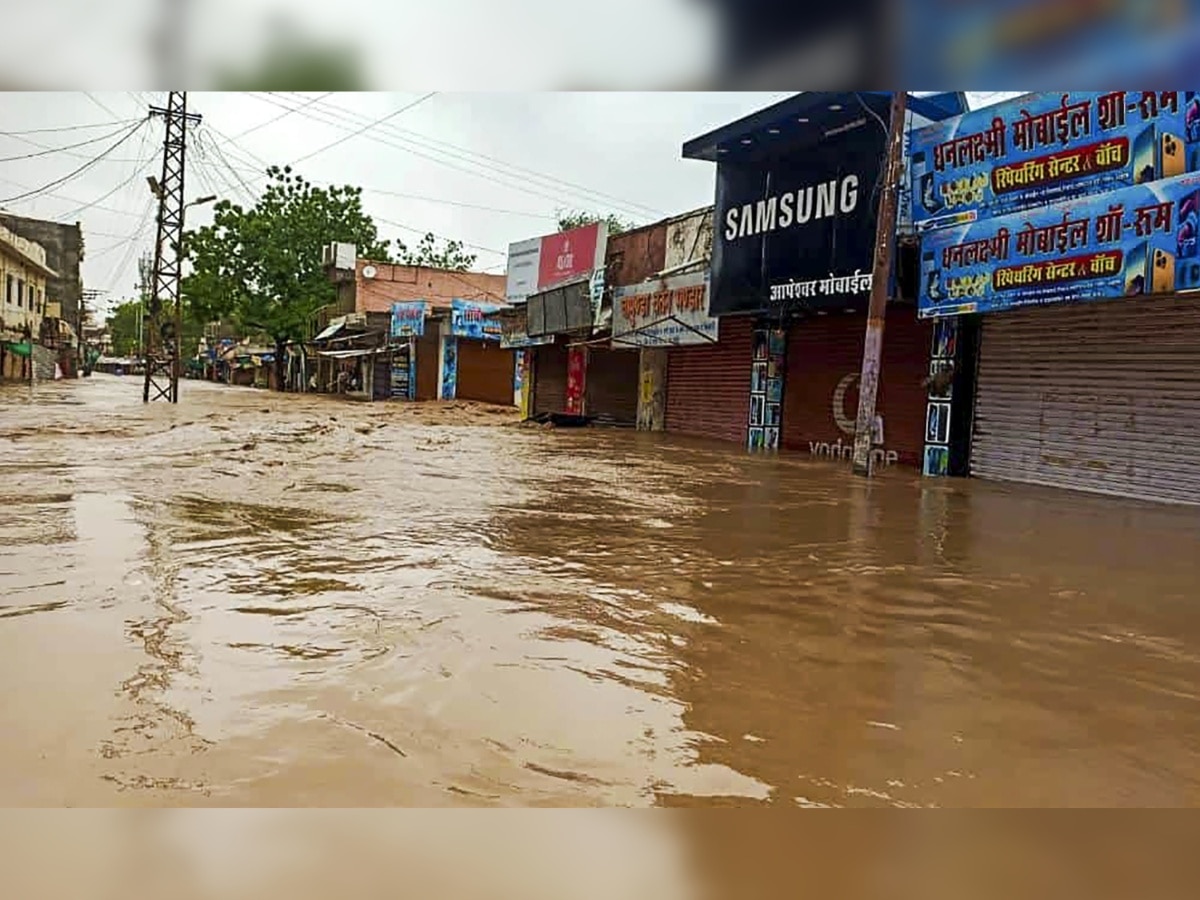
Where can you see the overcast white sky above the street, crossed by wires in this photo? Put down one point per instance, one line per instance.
(488, 170)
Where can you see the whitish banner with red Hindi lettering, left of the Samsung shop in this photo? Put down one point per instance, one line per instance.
(664, 314)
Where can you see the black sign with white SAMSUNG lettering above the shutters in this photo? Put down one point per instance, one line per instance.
(799, 231)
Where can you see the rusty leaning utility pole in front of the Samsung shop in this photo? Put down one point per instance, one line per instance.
(885, 243)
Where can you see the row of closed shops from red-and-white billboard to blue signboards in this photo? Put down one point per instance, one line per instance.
(1041, 327)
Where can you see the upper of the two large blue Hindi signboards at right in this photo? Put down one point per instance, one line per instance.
(1048, 148)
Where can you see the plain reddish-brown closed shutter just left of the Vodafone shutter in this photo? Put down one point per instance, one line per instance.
(709, 387)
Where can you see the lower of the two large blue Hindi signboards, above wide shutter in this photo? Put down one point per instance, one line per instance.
(1127, 243)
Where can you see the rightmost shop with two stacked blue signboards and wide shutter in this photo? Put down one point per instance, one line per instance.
(1067, 313)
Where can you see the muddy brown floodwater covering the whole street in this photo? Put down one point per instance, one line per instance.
(278, 601)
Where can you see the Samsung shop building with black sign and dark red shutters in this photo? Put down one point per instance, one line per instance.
(794, 238)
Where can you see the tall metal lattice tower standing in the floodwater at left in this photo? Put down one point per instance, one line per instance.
(164, 322)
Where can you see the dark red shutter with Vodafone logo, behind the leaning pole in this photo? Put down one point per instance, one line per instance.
(825, 359)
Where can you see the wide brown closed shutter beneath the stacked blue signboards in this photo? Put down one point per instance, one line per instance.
(1101, 398)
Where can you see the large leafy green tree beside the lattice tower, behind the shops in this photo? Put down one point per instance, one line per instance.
(261, 268)
